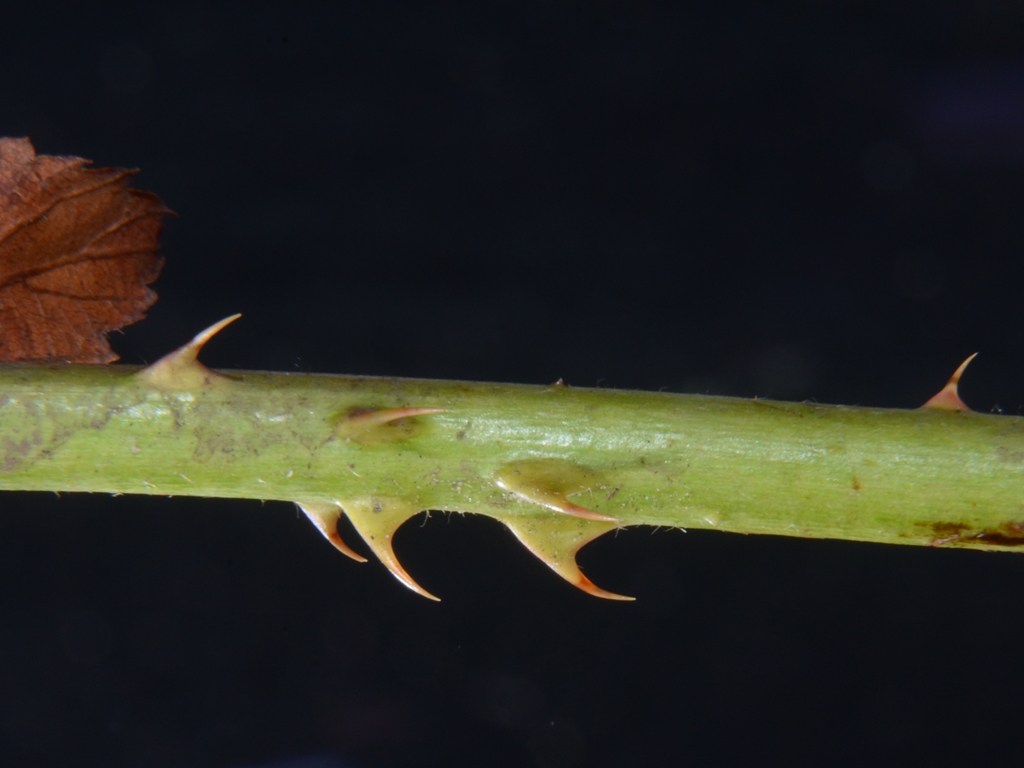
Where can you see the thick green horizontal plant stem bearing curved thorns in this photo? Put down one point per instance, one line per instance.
(518, 454)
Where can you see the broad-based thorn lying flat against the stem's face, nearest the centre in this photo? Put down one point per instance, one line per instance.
(549, 483)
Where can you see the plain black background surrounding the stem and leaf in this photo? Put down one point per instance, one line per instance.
(797, 200)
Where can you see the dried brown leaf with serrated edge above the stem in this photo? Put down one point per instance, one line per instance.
(78, 249)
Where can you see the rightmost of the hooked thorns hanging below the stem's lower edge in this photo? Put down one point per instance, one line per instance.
(556, 541)
